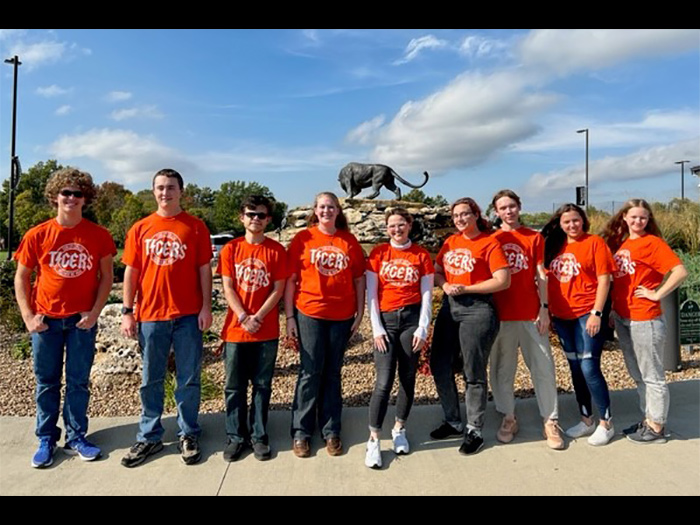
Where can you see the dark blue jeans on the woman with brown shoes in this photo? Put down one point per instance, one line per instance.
(321, 348)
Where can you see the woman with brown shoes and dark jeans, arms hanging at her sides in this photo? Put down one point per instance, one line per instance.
(324, 301)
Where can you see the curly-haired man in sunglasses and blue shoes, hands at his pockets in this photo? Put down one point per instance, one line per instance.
(72, 259)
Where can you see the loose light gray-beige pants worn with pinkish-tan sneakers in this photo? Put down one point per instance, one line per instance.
(538, 358)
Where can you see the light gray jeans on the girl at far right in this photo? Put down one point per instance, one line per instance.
(642, 345)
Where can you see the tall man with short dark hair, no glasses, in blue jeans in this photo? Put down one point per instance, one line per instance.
(168, 256)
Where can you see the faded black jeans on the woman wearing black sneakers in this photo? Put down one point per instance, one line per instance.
(466, 324)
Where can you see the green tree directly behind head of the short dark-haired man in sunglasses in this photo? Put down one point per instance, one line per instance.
(228, 201)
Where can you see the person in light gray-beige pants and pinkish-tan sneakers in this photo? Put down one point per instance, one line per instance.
(524, 315)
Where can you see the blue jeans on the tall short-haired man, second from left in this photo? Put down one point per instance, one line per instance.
(156, 339)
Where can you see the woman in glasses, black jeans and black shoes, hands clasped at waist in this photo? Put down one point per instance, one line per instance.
(470, 267)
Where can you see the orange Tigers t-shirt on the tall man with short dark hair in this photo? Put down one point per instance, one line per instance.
(168, 252)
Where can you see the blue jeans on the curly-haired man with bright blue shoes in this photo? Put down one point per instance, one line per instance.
(48, 347)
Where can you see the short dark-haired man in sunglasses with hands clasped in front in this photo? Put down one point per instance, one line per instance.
(254, 272)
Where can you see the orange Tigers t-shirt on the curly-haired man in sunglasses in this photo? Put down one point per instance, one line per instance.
(67, 261)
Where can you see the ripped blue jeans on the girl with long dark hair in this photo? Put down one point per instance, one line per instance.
(583, 353)
